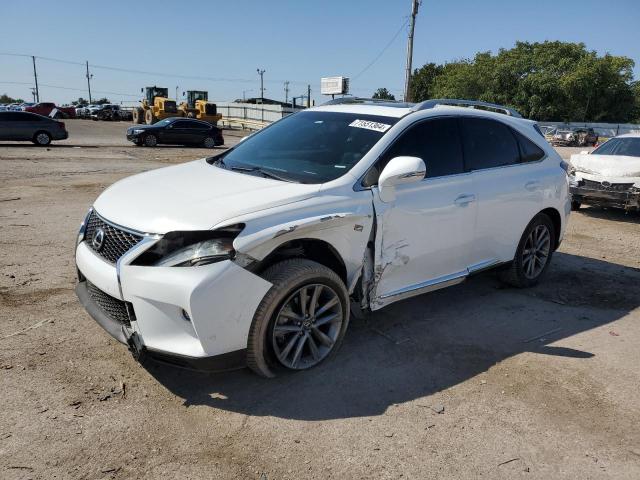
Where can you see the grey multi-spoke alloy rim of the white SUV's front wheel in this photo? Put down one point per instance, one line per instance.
(307, 326)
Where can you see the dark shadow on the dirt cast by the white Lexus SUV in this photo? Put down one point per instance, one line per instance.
(429, 343)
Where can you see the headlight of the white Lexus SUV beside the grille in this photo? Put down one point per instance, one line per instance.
(191, 249)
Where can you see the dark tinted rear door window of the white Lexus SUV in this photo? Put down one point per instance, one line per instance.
(488, 144)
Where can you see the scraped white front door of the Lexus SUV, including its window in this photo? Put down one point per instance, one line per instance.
(424, 237)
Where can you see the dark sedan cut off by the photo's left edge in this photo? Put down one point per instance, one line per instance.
(31, 126)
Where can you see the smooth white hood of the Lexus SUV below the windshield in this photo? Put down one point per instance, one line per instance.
(192, 196)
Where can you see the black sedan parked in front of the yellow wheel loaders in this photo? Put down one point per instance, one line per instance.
(176, 131)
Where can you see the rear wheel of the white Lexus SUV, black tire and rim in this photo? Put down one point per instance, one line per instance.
(520, 274)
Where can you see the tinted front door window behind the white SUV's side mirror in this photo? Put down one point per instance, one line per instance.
(437, 142)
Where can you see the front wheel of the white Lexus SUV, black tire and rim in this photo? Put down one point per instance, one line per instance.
(269, 353)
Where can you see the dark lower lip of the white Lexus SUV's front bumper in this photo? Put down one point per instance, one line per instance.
(124, 334)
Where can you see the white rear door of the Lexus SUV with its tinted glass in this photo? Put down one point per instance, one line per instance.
(508, 176)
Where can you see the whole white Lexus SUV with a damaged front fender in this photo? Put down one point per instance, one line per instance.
(256, 256)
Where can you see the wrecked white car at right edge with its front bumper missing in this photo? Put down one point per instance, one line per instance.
(609, 176)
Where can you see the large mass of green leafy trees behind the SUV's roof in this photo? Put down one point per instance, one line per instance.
(548, 80)
